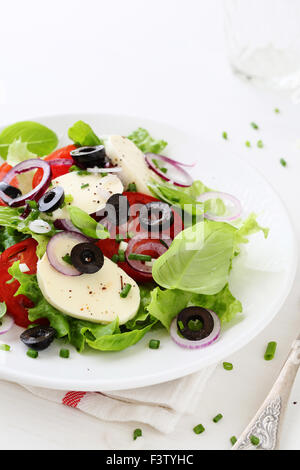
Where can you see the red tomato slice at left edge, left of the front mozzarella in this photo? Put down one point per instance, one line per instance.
(17, 307)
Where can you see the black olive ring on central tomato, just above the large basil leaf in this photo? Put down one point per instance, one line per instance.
(156, 216)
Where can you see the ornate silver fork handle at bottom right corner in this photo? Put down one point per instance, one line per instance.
(267, 423)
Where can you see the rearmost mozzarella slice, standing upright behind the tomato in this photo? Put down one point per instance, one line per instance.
(124, 153)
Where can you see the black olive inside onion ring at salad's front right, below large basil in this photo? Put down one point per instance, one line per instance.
(198, 315)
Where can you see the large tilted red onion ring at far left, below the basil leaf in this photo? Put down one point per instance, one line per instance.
(23, 167)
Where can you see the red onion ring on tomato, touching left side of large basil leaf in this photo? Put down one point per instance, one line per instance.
(136, 245)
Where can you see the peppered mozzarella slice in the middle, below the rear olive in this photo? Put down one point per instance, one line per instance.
(89, 192)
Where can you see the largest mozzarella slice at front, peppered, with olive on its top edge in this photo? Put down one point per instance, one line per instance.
(92, 297)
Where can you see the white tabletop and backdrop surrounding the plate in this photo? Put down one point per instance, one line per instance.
(166, 60)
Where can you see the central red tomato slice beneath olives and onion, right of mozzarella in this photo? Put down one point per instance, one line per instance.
(110, 247)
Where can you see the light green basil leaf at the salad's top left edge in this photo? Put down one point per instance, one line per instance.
(39, 139)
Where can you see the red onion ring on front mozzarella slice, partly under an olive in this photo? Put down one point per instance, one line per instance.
(57, 263)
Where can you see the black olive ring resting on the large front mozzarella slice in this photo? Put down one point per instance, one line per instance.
(87, 258)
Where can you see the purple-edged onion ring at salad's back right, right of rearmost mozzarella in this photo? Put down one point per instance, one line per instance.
(174, 165)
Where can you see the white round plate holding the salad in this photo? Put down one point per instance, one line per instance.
(262, 277)
